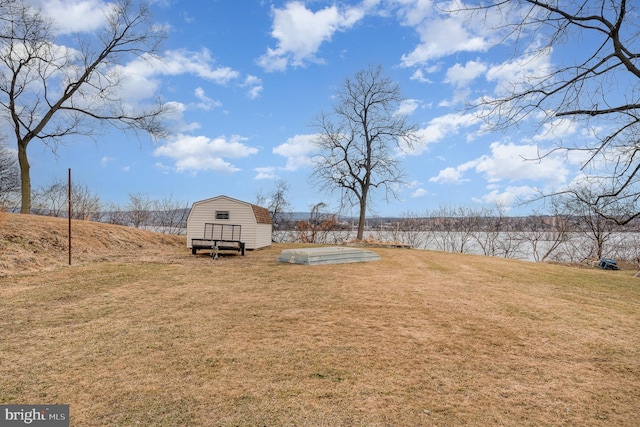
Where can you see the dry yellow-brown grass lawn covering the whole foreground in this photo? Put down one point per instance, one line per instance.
(146, 334)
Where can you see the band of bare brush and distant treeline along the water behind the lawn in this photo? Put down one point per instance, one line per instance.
(571, 230)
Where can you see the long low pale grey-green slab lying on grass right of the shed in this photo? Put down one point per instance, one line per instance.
(326, 255)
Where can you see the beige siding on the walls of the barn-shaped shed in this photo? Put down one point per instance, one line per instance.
(254, 235)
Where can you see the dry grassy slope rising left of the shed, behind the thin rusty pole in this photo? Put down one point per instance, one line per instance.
(32, 242)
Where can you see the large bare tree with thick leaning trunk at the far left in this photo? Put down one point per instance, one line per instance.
(49, 92)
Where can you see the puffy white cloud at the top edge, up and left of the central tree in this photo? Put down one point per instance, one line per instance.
(300, 32)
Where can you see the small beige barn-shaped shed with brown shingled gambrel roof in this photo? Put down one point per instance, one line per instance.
(249, 223)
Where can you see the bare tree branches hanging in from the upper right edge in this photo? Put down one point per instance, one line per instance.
(597, 86)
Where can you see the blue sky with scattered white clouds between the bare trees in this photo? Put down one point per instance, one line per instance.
(247, 78)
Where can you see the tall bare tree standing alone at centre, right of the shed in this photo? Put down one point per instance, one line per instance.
(356, 142)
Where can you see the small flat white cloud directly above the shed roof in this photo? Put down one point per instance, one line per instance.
(196, 153)
